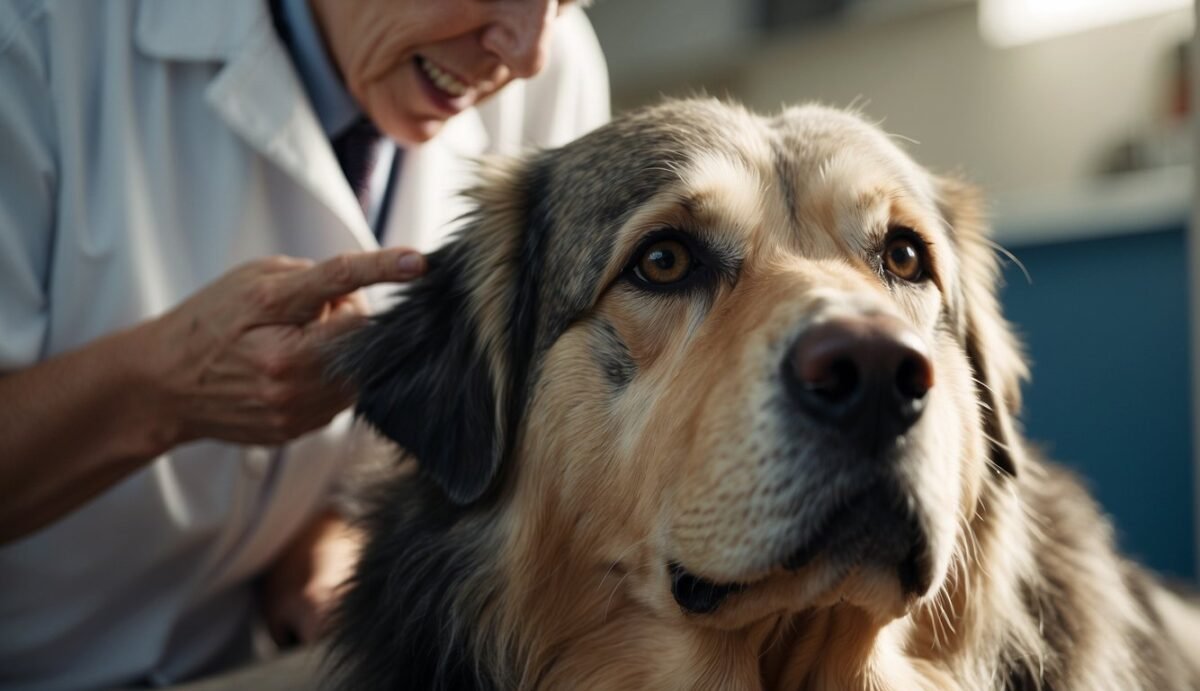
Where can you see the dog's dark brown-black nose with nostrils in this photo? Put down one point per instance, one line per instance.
(866, 375)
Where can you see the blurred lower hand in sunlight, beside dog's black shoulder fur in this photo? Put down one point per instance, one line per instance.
(301, 591)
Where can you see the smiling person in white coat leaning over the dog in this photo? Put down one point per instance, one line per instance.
(193, 201)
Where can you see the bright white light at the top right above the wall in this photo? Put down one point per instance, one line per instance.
(1015, 22)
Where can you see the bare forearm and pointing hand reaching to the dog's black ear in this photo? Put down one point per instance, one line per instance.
(242, 360)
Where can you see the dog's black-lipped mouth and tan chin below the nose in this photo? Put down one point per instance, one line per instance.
(871, 552)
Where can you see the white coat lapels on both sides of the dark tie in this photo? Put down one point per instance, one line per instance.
(259, 94)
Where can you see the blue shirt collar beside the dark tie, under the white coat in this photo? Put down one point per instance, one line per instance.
(335, 109)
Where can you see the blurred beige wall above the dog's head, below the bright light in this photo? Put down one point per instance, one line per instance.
(1010, 119)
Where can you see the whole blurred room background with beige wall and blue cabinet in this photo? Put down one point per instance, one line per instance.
(1075, 117)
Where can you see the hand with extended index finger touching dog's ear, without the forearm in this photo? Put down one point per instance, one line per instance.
(244, 359)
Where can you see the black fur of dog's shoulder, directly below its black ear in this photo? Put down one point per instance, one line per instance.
(407, 621)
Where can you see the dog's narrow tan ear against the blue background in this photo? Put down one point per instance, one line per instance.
(997, 358)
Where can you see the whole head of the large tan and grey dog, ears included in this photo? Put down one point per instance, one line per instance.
(751, 364)
